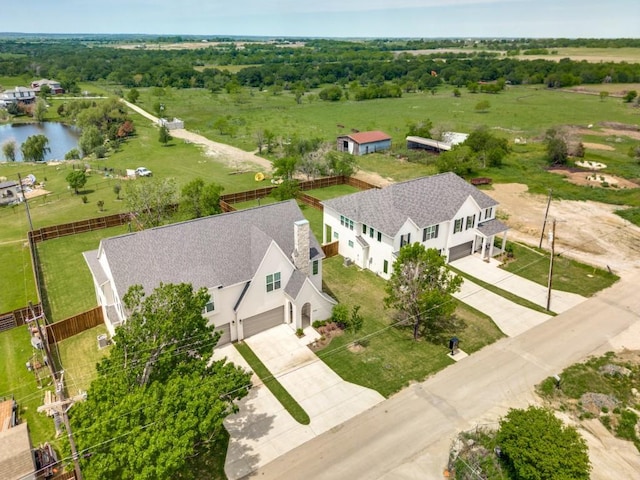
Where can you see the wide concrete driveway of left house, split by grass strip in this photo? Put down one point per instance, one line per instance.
(263, 430)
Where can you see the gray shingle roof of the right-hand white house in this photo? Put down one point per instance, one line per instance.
(426, 201)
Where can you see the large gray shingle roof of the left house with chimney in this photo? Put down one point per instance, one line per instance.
(222, 249)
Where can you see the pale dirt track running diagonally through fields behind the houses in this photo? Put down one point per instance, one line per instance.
(232, 157)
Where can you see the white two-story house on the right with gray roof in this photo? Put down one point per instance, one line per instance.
(442, 212)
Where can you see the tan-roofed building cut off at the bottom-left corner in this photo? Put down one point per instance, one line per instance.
(16, 456)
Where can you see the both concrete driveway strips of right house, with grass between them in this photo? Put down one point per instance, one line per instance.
(511, 318)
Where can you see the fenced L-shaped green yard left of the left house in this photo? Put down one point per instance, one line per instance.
(68, 286)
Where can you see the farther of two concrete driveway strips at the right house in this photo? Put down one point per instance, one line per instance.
(491, 273)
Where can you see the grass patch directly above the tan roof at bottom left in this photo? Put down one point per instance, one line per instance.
(17, 381)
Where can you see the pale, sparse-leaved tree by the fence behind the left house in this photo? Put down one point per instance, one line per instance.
(151, 200)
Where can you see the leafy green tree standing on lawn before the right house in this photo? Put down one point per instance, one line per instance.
(420, 290)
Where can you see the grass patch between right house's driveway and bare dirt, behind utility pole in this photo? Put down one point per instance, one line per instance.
(568, 275)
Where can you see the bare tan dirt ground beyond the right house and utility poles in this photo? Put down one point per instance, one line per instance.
(588, 231)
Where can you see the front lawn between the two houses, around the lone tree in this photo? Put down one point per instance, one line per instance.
(391, 359)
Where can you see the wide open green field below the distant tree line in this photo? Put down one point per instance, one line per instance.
(524, 111)
